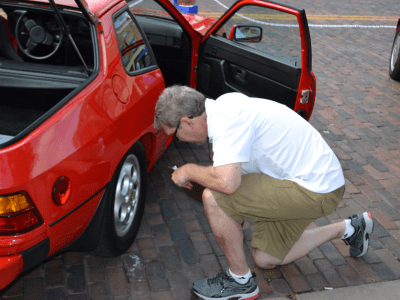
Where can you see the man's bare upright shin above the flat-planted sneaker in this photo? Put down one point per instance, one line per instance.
(228, 233)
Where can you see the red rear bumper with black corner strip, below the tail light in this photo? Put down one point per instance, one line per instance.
(11, 266)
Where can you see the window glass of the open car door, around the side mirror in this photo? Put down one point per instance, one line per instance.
(280, 32)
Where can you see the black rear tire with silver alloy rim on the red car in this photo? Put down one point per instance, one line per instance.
(124, 205)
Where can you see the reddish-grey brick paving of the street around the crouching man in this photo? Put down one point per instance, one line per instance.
(357, 111)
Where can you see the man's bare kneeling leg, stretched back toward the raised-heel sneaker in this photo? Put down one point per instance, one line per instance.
(308, 241)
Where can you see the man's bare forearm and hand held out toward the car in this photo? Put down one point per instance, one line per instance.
(225, 179)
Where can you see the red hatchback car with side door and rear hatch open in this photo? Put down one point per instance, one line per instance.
(79, 82)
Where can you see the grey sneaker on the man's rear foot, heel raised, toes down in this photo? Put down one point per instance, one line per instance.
(359, 240)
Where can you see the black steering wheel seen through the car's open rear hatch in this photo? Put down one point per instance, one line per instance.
(36, 36)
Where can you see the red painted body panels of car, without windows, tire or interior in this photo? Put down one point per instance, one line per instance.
(85, 137)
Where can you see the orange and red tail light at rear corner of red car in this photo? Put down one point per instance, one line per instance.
(18, 214)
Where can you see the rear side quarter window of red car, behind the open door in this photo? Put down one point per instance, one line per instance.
(134, 51)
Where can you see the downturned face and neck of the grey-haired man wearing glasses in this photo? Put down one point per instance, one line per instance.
(192, 130)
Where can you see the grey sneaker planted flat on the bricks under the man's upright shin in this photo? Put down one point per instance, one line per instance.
(224, 287)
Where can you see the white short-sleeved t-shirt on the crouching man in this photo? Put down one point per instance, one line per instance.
(270, 138)
